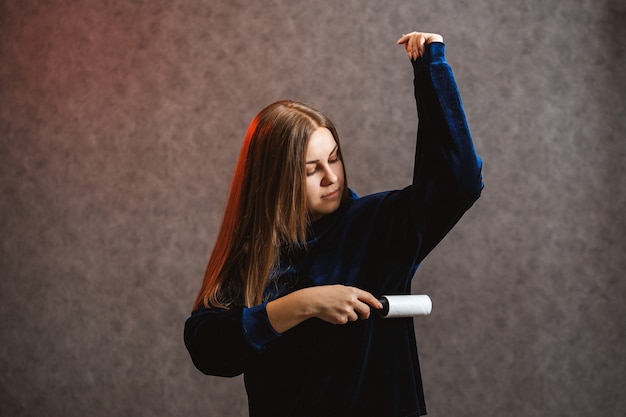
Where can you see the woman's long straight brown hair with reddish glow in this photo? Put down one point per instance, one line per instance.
(266, 207)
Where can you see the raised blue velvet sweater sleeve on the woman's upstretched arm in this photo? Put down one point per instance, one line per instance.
(447, 174)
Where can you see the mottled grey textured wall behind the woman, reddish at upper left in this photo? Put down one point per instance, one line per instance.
(120, 123)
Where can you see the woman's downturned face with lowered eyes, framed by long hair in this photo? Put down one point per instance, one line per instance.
(324, 174)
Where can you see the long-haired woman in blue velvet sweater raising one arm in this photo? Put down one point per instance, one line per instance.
(300, 260)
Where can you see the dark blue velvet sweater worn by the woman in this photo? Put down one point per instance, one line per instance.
(376, 242)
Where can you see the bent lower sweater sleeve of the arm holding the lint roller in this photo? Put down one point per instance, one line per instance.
(222, 342)
